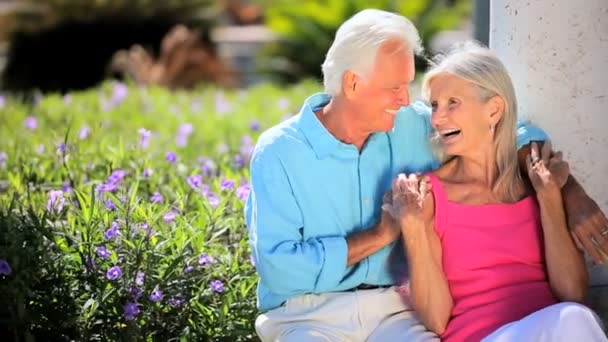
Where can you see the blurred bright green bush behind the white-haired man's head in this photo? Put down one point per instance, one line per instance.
(306, 29)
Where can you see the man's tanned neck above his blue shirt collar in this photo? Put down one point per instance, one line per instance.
(336, 119)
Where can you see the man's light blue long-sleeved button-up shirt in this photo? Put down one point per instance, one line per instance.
(309, 191)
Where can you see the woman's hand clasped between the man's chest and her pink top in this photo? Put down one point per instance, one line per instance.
(411, 200)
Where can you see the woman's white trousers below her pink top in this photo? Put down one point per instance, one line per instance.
(563, 322)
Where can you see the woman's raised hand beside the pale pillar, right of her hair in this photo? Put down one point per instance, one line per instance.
(547, 173)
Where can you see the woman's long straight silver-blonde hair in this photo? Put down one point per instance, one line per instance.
(481, 67)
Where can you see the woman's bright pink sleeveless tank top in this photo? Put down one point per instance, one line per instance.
(493, 258)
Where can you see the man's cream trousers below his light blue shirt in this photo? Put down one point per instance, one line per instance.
(376, 315)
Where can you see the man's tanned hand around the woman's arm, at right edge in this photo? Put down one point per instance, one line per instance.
(588, 224)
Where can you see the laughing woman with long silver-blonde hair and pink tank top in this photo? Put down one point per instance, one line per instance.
(490, 256)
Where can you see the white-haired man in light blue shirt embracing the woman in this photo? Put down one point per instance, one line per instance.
(320, 240)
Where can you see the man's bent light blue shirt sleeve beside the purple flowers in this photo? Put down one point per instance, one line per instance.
(287, 263)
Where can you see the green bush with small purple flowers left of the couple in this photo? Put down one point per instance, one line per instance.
(121, 212)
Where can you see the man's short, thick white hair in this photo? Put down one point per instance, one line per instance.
(357, 42)
